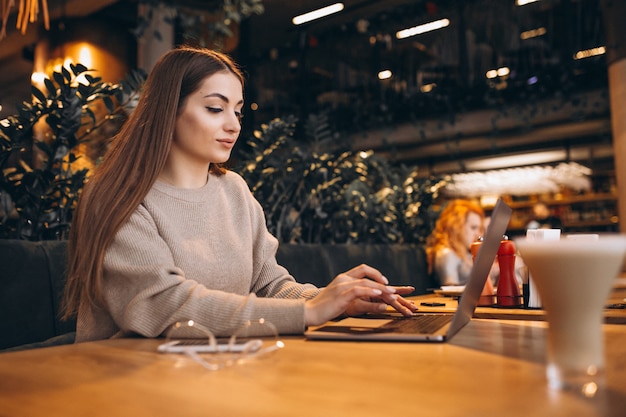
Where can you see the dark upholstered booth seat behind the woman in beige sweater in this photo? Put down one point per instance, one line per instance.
(32, 275)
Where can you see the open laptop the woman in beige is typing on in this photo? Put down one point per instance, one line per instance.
(425, 327)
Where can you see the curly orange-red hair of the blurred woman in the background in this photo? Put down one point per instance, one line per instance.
(448, 231)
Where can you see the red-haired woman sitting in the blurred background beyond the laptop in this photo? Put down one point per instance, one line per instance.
(448, 247)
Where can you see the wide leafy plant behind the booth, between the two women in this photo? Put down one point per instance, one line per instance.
(339, 196)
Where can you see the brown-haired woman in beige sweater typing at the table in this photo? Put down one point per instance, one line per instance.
(164, 233)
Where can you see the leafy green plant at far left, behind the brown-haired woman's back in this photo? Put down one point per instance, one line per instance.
(41, 177)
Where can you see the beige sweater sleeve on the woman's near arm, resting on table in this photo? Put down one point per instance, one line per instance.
(145, 292)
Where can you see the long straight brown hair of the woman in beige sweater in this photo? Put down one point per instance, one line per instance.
(131, 166)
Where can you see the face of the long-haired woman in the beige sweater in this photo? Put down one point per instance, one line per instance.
(209, 122)
